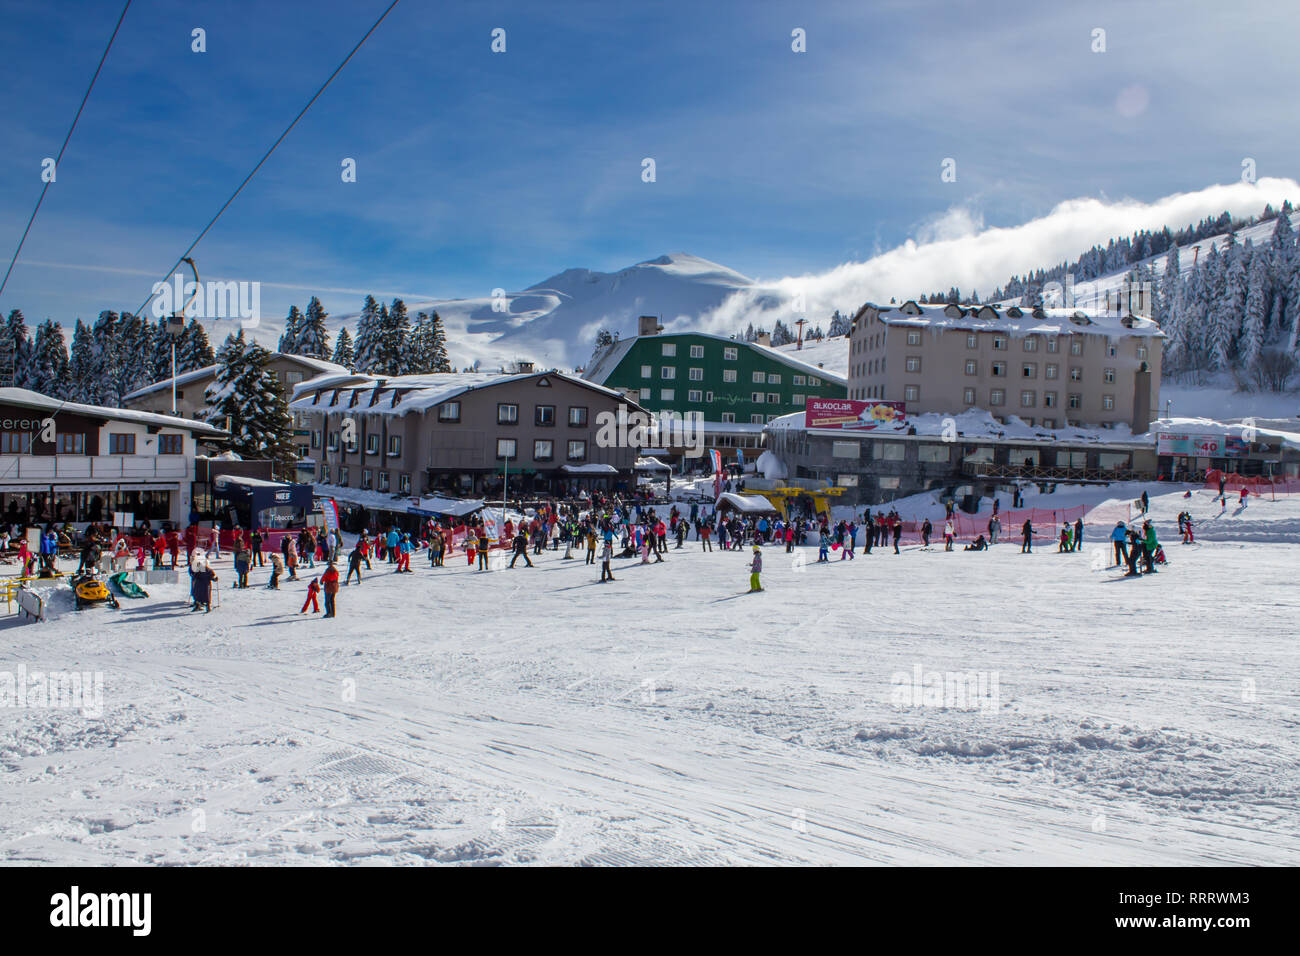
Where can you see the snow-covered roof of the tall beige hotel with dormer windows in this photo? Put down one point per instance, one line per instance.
(1015, 322)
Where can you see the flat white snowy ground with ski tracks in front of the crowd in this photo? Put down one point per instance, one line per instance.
(536, 716)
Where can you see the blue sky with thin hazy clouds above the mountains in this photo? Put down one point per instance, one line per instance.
(478, 170)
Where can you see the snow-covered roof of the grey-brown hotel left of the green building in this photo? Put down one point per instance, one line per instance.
(406, 393)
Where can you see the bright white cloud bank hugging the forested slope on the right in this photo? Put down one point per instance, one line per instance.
(955, 250)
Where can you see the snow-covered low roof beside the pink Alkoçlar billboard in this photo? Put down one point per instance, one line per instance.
(980, 425)
